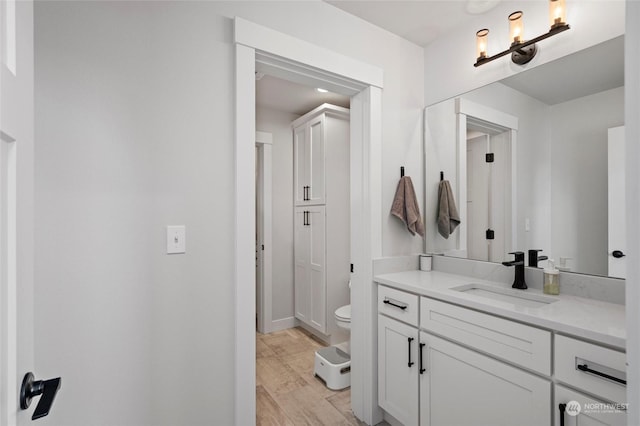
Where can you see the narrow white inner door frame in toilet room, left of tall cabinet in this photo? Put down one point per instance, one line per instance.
(264, 232)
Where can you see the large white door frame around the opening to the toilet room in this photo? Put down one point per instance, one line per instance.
(285, 56)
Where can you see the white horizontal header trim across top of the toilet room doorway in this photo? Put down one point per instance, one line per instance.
(290, 48)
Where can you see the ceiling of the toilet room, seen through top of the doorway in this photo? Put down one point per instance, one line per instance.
(286, 96)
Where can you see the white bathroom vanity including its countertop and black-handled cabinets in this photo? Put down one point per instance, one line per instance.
(456, 350)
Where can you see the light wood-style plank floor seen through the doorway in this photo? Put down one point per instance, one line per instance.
(287, 393)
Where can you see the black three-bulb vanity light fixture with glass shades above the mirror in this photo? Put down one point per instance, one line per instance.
(522, 51)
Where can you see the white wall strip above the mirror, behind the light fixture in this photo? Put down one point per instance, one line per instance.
(449, 60)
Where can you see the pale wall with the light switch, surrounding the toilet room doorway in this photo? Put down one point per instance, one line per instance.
(134, 122)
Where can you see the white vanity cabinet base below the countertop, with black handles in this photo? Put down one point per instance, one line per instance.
(444, 364)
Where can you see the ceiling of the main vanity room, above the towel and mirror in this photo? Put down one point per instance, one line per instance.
(419, 21)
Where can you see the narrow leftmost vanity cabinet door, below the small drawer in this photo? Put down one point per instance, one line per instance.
(398, 370)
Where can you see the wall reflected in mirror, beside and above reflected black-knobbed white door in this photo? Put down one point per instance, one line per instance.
(579, 176)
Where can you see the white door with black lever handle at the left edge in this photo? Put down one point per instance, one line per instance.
(16, 208)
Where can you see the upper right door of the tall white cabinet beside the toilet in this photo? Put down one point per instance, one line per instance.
(316, 161)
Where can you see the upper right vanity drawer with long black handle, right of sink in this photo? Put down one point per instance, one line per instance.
(581, 364)
